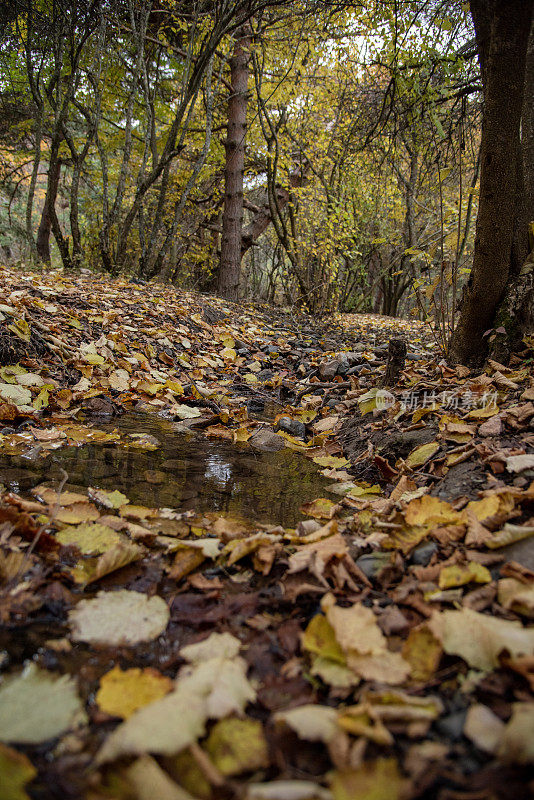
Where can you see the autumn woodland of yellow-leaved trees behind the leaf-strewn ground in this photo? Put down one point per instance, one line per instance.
(322, 155)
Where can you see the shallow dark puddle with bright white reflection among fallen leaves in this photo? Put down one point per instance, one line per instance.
(187, 471)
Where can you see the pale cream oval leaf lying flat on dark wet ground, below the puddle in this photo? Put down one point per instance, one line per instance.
(115, 618)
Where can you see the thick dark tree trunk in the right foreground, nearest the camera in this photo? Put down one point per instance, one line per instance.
(502, 29)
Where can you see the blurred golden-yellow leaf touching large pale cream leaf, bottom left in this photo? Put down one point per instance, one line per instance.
(122, 692)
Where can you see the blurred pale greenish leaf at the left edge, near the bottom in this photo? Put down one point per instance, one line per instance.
(37, 705)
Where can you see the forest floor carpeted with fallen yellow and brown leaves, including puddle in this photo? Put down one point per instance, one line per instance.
(375, 643)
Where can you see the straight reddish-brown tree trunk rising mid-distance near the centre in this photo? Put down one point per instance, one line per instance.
(232, 221)
